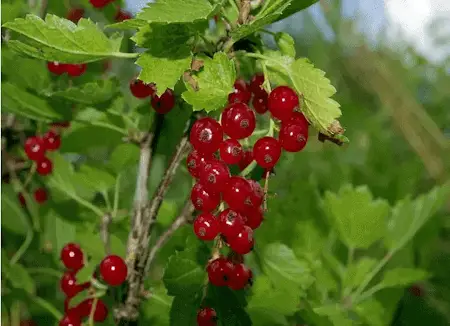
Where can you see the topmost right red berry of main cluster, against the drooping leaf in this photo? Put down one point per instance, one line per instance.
(282, 102)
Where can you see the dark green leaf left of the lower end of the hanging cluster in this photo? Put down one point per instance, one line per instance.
(183, 276)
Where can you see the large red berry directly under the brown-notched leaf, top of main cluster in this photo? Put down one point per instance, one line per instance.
(238, 121)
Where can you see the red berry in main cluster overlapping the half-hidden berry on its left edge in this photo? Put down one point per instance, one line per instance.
(214, 175)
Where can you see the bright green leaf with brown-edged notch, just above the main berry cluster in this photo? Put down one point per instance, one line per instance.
(215, 82)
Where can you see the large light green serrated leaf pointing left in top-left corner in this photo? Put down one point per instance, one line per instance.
(59, 39)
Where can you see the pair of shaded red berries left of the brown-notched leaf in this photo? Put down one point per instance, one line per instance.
(162, 104)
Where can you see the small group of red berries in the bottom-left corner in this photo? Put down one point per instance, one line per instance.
(112, 270)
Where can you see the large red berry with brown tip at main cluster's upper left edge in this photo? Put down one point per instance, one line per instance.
(206, 135)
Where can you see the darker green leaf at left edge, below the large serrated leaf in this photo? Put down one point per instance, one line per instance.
(20, 102)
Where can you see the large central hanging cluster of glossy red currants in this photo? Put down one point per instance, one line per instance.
(231, 205)
